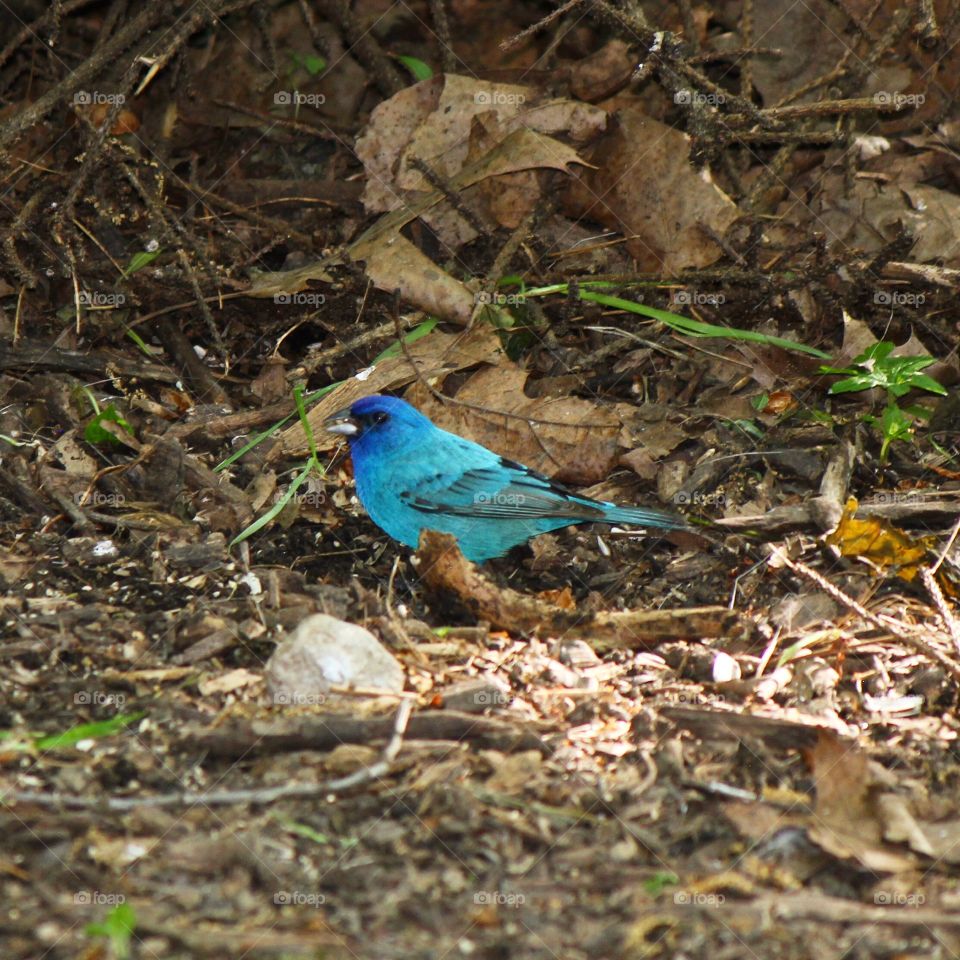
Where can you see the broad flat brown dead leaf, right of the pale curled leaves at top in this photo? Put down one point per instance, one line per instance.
(645, 187)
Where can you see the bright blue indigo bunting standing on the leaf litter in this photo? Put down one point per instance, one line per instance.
(412, 476)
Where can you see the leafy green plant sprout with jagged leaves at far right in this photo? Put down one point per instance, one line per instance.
(876, 368)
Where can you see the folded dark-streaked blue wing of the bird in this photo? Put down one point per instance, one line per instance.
(504, 490)
